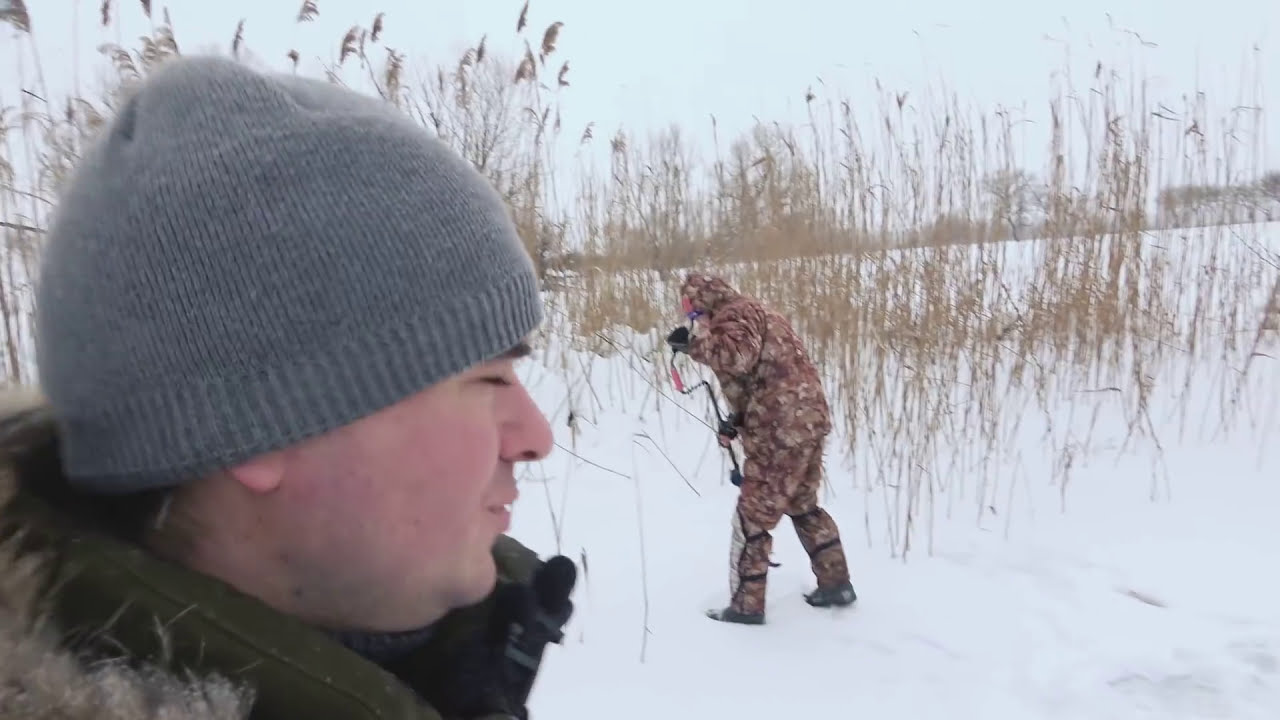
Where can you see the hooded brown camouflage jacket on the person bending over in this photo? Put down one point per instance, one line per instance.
(761, 364)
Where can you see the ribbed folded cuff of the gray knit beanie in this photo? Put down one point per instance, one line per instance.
(152, 438)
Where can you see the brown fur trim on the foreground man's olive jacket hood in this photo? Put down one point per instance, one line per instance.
(42, 680)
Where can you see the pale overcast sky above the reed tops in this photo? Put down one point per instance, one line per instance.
(648, 65)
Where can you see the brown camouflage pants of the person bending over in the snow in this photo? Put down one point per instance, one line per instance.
(779, 482)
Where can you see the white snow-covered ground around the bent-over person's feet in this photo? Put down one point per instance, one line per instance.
(1149, 589)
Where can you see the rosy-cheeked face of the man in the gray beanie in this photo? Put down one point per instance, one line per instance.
(388, 523)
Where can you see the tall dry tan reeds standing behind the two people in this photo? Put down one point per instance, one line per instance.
(902, 248)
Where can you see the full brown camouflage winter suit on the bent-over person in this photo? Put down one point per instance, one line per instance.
(771, 385)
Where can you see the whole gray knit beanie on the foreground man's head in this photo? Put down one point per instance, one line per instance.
(244, 261)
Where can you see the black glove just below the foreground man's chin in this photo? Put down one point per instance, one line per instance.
(490, 672)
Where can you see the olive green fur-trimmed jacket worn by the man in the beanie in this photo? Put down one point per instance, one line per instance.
(182, 645)
